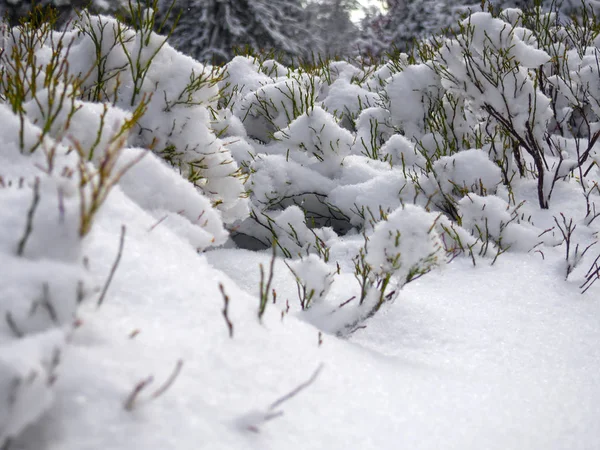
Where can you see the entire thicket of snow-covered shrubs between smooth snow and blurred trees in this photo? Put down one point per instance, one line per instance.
(394, 169)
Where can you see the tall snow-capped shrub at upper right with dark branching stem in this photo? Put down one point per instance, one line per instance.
(507, 78)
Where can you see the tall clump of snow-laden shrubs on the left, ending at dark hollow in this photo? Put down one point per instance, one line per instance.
(70, 105)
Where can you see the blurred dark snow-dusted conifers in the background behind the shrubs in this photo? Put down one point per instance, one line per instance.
(213, 30)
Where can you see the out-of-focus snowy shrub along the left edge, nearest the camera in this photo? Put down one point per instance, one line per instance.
(46, 201)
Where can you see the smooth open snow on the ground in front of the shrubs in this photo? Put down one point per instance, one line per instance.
(502, 356)
